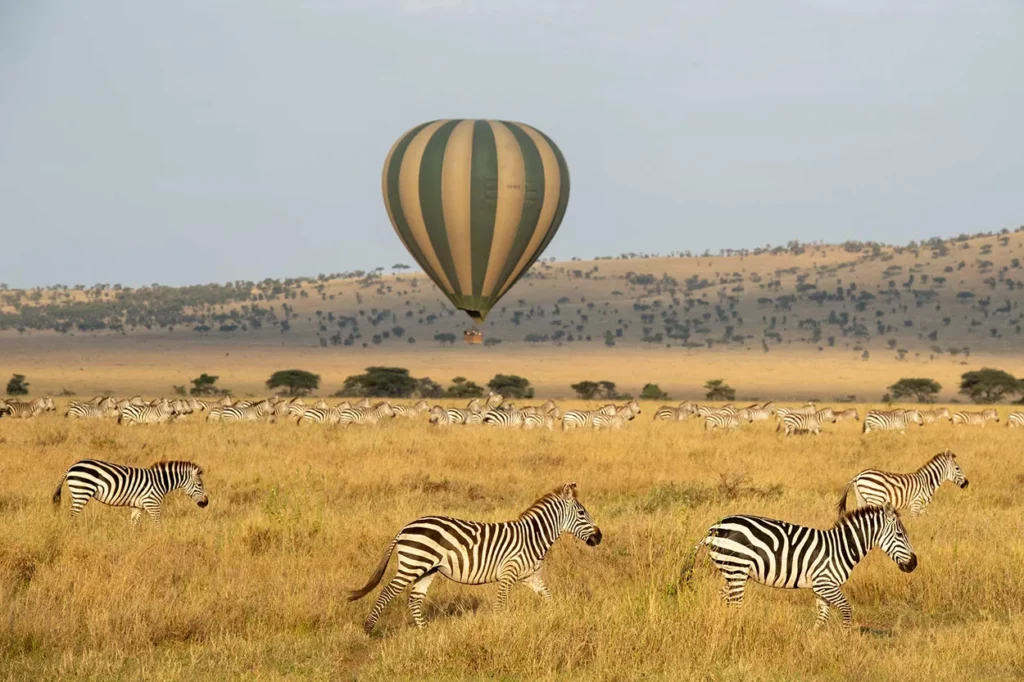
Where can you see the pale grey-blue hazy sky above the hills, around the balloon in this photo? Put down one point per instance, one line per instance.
(210, 141)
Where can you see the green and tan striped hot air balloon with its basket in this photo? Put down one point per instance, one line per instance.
(476, 202)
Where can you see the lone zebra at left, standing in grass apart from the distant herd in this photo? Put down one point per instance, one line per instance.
(120, 486)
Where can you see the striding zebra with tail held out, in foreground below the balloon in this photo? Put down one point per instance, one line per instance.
(475, 553)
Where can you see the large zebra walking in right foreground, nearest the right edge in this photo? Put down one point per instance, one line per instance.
(786, 556)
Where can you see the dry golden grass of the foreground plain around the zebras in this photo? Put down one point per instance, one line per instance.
(253, 587)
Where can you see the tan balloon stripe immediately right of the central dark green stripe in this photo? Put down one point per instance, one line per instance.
(511, 180)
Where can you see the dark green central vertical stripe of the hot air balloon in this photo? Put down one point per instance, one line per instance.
(484, 202)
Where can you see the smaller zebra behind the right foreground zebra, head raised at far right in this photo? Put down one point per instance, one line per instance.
(912, 491)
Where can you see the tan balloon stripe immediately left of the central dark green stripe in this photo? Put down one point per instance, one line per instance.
(456, 200)
